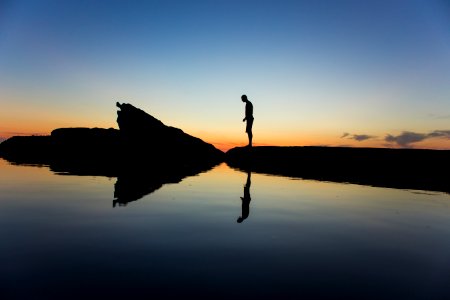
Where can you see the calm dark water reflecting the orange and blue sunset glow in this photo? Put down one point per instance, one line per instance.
(220, 234)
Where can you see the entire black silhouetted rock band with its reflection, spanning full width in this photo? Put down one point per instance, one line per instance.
(145, 154)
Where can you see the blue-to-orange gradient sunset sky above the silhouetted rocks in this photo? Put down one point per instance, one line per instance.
(357, 73)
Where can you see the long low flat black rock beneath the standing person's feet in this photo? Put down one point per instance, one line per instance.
(393, 168)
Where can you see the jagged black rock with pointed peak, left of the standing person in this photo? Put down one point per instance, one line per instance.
(142, 141)
